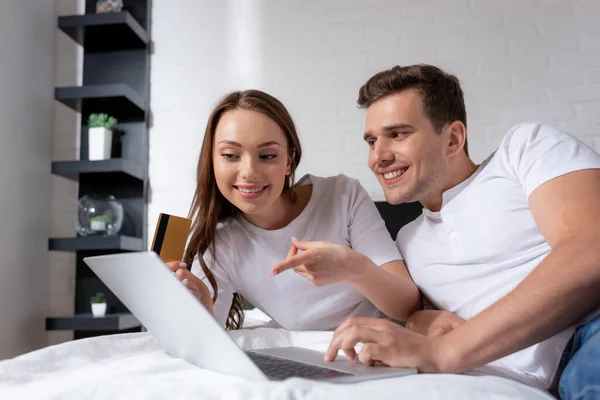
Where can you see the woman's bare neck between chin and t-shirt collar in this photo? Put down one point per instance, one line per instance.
(283, 211)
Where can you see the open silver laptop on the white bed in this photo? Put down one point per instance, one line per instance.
(183, 326)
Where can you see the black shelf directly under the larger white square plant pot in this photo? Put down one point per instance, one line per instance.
(73, 169)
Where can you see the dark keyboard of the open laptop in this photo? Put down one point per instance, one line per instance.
(279, 368)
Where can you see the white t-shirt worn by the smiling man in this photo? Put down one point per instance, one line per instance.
(484, 240)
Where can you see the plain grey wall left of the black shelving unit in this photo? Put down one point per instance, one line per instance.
(26, 90)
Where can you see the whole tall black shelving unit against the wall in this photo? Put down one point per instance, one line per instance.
(116, 81)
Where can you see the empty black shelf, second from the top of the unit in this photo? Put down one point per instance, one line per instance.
(116, 99)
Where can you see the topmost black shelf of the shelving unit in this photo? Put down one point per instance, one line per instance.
(105, 32)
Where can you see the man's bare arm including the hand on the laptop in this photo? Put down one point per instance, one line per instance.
(557, 294)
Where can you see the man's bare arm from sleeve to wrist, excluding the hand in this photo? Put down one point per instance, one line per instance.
(562, 290)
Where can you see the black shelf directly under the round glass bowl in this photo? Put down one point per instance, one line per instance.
(83, 243)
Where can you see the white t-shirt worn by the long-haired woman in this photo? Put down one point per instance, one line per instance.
(339, 211)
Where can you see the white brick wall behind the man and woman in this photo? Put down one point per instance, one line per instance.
(518, 60)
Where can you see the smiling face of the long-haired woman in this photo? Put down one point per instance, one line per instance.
(251, 161)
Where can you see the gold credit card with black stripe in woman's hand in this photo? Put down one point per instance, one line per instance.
(170, 237)
